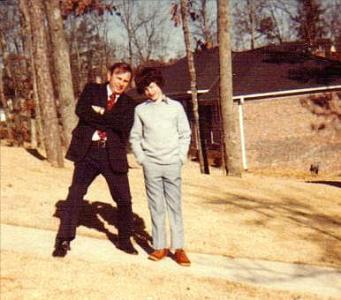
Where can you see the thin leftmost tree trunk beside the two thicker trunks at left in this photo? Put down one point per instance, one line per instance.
(37, 136)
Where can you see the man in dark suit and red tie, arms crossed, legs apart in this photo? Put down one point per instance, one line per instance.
(98, 146)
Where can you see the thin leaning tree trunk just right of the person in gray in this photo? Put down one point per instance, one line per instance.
(191, 67)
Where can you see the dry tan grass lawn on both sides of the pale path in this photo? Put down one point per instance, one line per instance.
(293, 218)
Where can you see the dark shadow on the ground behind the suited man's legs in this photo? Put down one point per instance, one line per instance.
(98, 214)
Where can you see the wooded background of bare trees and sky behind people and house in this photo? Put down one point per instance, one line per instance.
(50, 49)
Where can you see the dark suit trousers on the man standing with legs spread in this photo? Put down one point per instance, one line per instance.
(96, 162)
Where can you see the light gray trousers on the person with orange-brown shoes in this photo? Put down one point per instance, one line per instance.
(163, 188)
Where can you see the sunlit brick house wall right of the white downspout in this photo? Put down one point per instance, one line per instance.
(278, 134)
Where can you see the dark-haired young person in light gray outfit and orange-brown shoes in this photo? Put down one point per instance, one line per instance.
(160, 139)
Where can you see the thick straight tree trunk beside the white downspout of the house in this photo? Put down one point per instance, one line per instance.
(231, 157)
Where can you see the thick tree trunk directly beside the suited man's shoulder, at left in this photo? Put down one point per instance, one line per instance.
(61, 57)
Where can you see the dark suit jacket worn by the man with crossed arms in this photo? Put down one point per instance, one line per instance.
(117, 123)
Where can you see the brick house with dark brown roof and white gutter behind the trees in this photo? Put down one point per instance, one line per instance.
(269, 86)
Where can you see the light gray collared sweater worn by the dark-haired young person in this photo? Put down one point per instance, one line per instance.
(161, 133)
